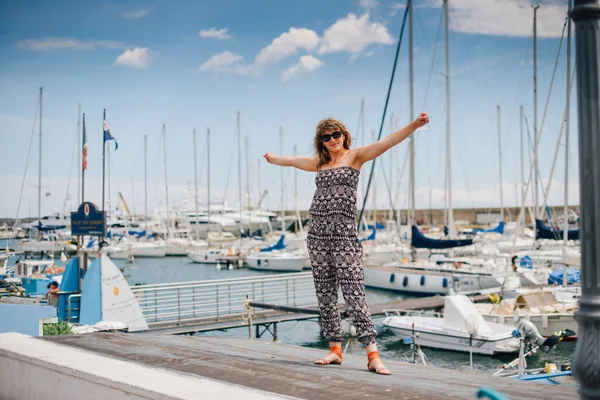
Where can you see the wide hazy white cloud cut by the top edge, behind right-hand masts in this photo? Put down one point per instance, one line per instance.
(507, 17)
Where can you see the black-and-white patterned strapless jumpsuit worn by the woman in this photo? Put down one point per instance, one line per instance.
(336, 254)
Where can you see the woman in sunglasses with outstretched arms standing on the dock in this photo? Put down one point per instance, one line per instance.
(333, 245)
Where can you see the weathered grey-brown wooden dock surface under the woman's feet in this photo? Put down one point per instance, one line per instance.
(287, 370)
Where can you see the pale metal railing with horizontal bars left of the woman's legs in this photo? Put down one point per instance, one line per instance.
(223, 299)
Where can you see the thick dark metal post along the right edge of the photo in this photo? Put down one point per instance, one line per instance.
(586, 360)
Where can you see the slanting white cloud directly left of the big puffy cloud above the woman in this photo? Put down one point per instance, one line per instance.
(287, 44)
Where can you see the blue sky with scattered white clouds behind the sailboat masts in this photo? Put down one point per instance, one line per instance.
(192, 64)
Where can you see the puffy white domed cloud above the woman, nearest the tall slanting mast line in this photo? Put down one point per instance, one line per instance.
(353, 34)
